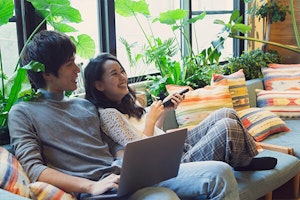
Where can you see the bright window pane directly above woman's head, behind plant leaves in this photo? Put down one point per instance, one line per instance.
(127, 27)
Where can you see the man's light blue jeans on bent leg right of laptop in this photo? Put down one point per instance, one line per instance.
(204, 180)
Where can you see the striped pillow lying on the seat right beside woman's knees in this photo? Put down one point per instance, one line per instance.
(261, 123)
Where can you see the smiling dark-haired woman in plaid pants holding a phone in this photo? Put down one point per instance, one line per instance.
(221, 136)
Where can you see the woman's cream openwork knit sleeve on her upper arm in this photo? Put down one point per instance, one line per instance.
(117, 127)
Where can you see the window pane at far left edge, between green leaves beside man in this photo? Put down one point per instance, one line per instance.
(9, 47)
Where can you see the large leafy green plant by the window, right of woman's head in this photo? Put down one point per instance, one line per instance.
(191, 67)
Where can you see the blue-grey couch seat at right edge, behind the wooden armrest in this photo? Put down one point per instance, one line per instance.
(288, 139)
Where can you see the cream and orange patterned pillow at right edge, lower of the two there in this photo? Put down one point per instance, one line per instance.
(285, 104)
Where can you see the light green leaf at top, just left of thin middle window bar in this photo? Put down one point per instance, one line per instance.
(170, 17)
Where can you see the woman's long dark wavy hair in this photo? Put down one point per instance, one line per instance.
(94, 72)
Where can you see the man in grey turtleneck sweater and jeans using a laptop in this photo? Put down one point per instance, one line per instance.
(58, 140)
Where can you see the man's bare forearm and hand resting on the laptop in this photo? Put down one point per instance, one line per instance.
(77, 184)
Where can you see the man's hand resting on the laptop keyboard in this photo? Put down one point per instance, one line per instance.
(103, 185)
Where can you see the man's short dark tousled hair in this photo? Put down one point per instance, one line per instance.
(50, 48)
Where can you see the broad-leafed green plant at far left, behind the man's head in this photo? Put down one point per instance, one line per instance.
(17, 87)
